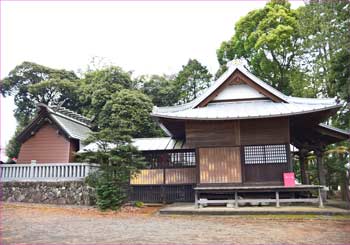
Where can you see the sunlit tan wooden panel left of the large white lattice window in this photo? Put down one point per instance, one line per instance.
(220, 165)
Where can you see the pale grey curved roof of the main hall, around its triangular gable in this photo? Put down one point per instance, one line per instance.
(244, 109)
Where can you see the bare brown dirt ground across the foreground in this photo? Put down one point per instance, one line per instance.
(44, 224)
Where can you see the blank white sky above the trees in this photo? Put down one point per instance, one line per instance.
(145, 37)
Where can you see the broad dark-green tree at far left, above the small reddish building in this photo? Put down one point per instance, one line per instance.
(31, 83)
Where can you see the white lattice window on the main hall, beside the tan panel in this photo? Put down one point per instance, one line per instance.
(265, 154)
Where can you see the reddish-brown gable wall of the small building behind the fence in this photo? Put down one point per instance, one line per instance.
(46, 146)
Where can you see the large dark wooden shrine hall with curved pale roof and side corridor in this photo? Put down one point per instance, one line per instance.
(233, 141)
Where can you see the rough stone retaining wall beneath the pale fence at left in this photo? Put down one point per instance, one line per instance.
(70, 192)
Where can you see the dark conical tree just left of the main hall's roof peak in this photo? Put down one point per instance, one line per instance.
(192, 80)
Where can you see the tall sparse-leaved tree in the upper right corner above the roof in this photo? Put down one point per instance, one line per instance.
(324, 27)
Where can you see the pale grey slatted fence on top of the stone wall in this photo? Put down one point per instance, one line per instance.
(45, 172)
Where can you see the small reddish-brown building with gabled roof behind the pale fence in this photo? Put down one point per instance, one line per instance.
(54, 136)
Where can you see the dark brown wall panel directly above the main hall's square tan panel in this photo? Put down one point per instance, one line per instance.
(212, 133)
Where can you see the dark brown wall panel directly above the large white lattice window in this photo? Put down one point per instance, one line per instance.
(264, 131)
